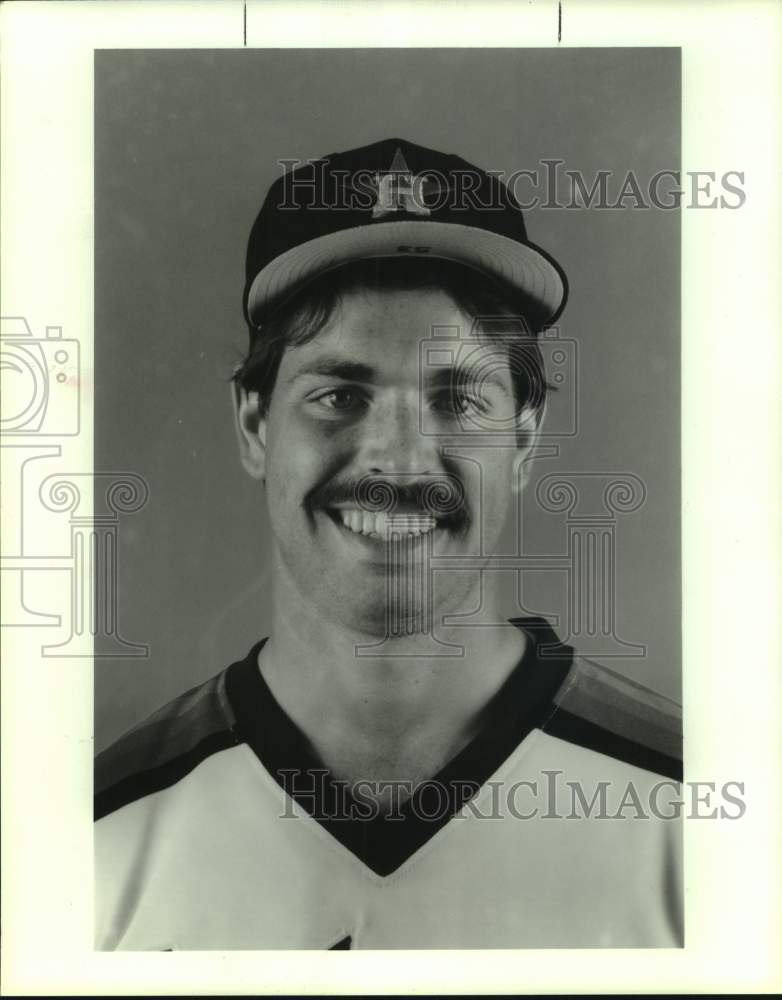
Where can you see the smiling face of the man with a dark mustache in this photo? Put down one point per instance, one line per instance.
(356, 418)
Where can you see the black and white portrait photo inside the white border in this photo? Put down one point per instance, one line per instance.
(414, 750)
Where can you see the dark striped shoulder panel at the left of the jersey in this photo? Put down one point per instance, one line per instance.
(164, 747)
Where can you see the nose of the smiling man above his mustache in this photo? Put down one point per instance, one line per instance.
(394, 442)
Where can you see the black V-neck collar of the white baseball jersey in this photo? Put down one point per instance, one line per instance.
(381, 842)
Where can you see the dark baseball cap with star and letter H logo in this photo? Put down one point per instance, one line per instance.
(389, 199)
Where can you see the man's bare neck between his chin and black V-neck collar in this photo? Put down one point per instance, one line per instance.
(404, 711)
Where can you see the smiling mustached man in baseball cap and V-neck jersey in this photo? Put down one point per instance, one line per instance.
(373, 774)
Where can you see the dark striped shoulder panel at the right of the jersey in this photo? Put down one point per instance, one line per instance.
(603, 711)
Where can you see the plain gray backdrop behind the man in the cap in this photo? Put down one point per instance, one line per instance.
(186, 144)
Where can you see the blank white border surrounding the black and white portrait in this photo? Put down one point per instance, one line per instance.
(731, 687)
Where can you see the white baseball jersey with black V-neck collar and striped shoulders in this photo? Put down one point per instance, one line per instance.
(556, 826)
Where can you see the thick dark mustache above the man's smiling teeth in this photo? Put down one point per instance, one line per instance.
(441, 496)
